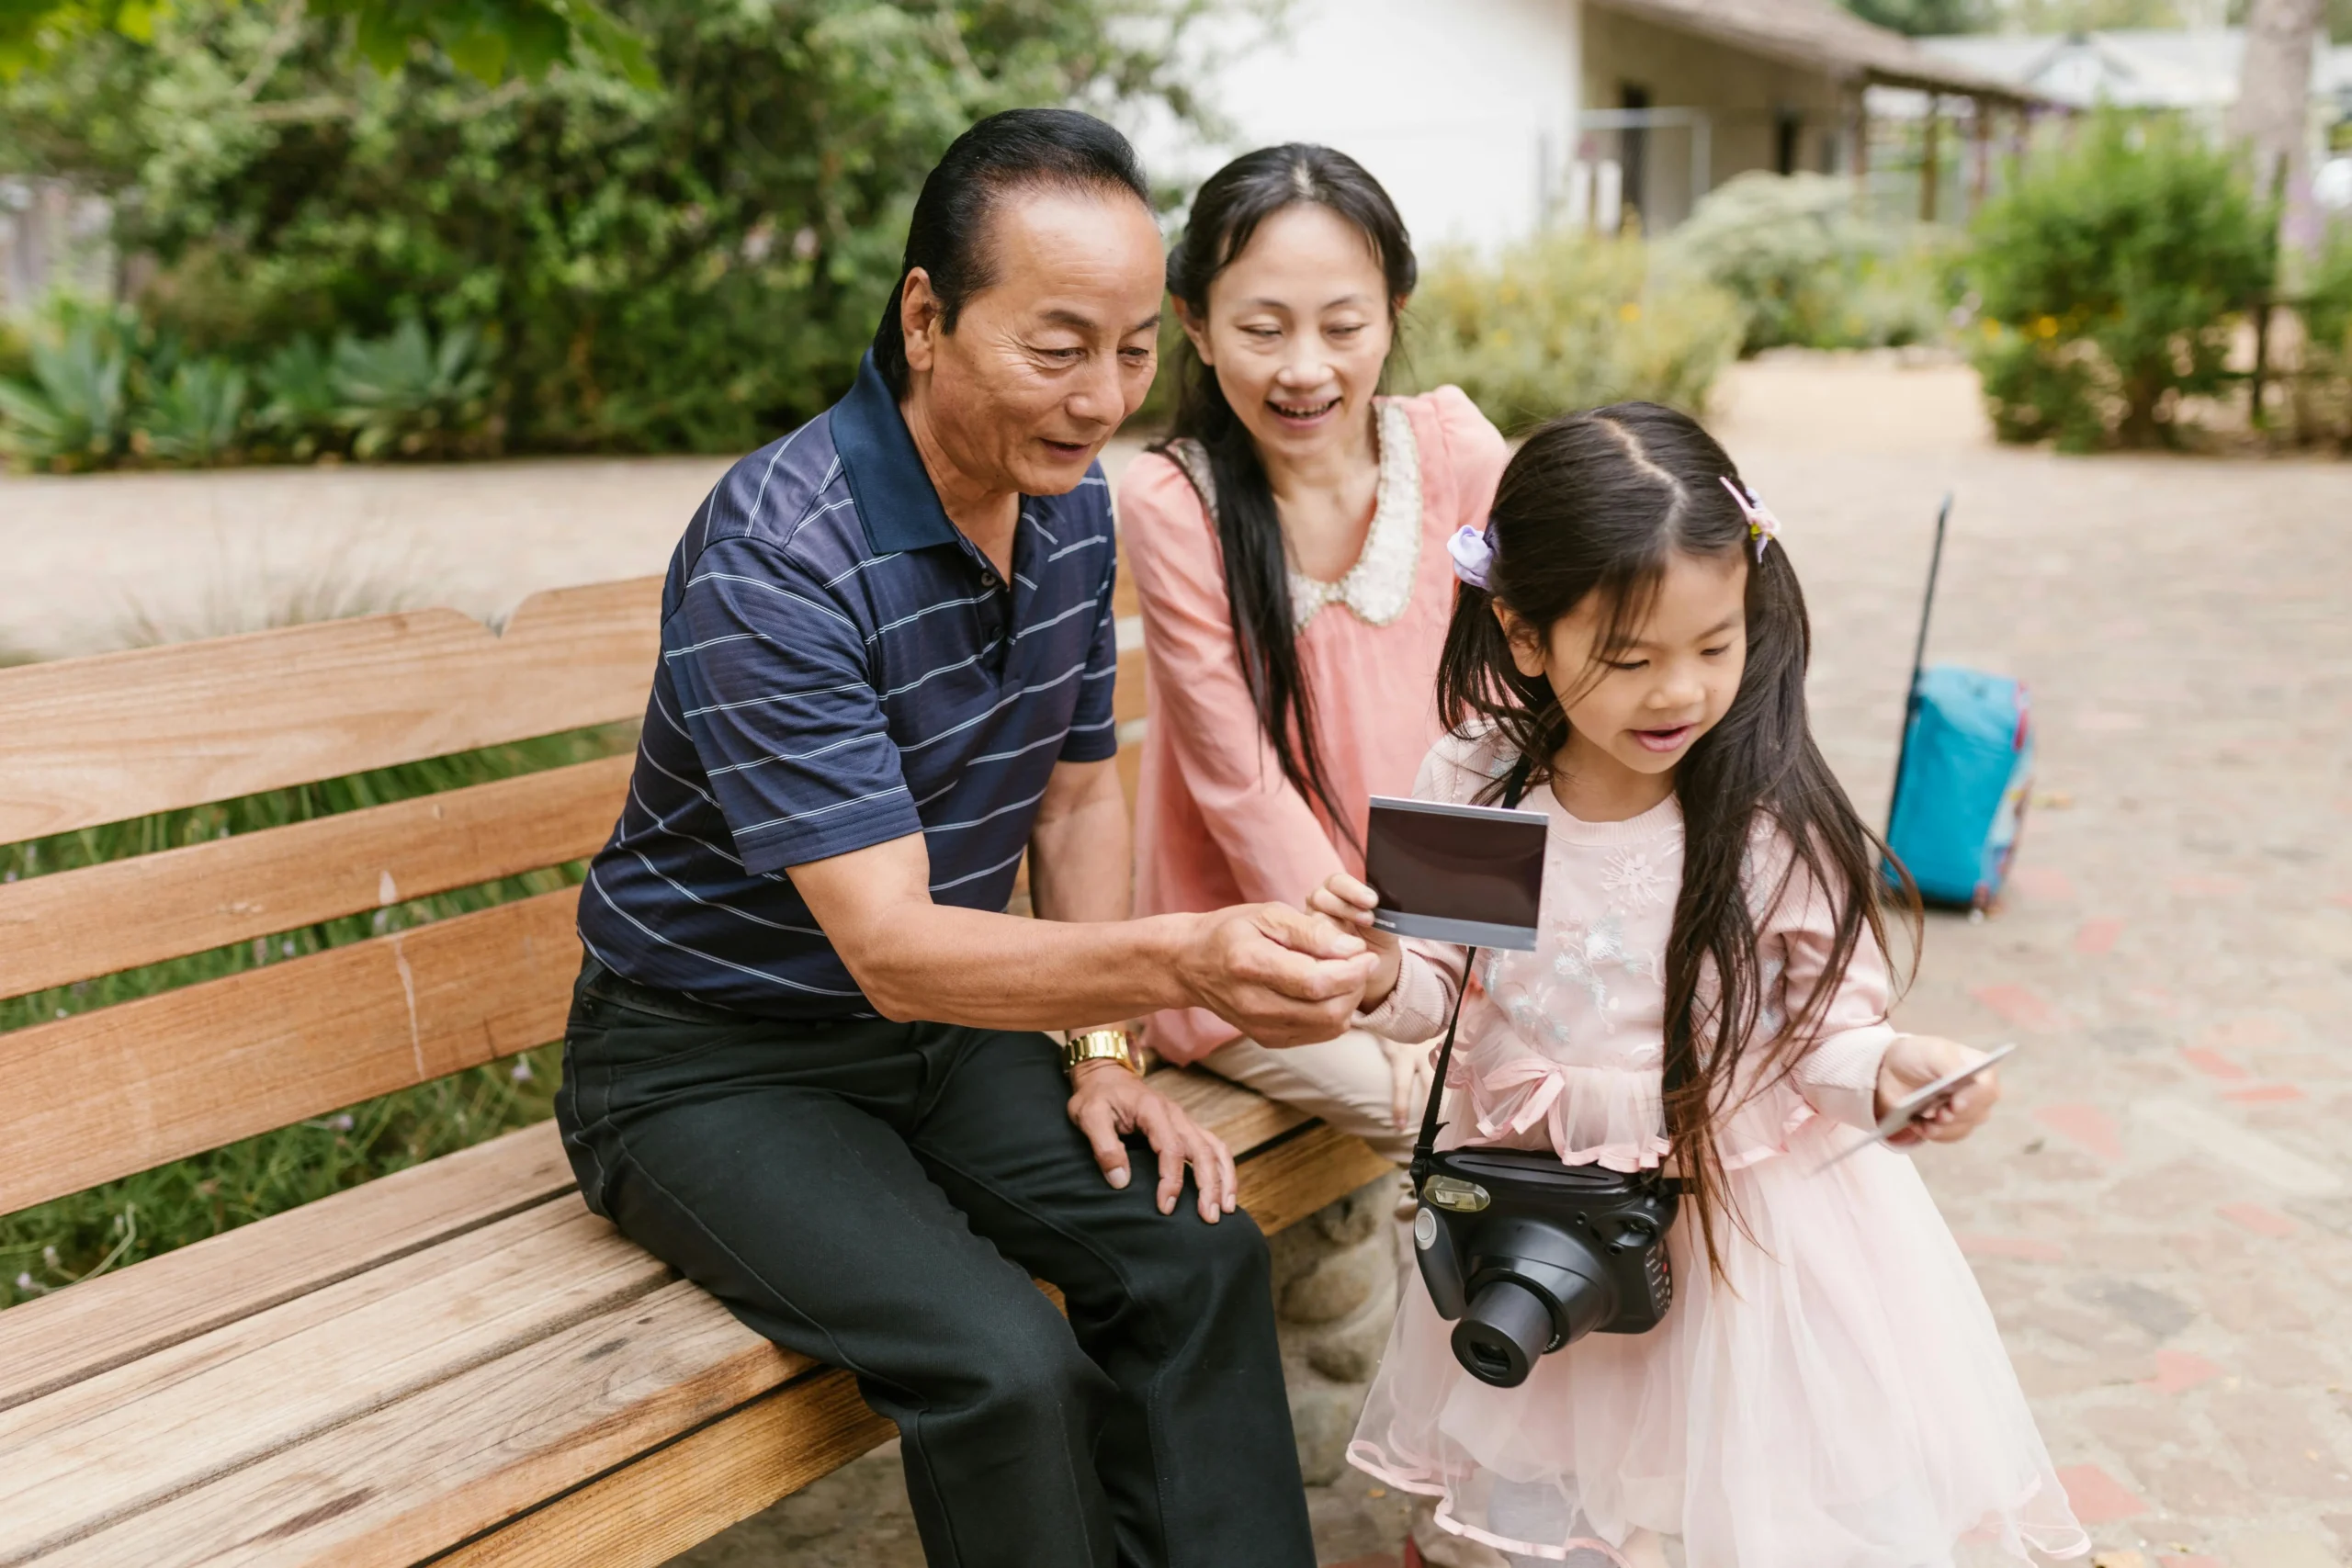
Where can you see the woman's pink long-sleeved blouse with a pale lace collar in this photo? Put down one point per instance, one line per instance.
(1215, 819)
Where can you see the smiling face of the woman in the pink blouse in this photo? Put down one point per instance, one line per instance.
(1297, 333)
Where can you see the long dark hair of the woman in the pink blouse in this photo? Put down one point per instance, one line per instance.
(1257, 568)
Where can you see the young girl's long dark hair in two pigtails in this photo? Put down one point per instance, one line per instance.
(1598, 504)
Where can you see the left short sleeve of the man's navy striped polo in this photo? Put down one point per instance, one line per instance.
(780, 704)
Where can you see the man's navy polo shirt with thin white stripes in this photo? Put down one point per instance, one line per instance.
(841, 669)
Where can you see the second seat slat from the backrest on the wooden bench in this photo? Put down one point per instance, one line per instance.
(116, 1445)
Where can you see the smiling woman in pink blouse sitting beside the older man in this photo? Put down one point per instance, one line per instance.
(1290, 547)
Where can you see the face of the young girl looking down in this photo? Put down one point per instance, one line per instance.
(1641, 706)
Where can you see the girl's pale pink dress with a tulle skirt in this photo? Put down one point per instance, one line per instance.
(1840, 1398)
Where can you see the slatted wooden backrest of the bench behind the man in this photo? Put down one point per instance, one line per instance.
(88, 742)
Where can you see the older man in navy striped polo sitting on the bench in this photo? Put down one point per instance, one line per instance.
(806, 1059)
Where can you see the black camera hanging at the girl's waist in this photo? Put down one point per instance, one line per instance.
(1528, 1254)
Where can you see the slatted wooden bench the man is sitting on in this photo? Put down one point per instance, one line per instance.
(455, 1365)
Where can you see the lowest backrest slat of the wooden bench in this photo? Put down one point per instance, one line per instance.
(142, 1083)
